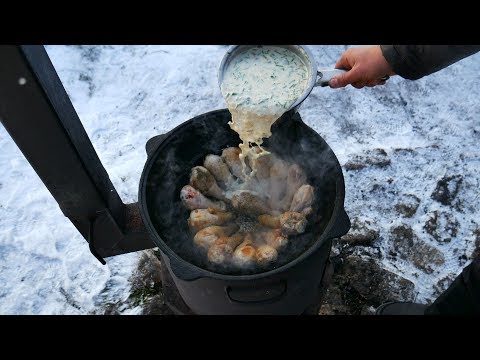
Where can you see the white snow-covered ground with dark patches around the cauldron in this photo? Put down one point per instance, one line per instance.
(124, 95)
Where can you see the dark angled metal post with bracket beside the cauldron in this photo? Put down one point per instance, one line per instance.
(37, 113)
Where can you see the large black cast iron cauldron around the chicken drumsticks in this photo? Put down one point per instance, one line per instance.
(288, 288)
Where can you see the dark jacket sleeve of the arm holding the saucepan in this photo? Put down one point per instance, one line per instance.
(416, 61)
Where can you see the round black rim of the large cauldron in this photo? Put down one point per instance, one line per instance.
(338, 212)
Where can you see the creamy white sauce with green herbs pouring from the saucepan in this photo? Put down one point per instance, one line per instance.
(259, 85)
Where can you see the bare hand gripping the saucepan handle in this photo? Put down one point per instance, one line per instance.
(366, 67)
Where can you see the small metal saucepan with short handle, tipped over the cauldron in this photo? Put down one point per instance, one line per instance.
(317, 77)
